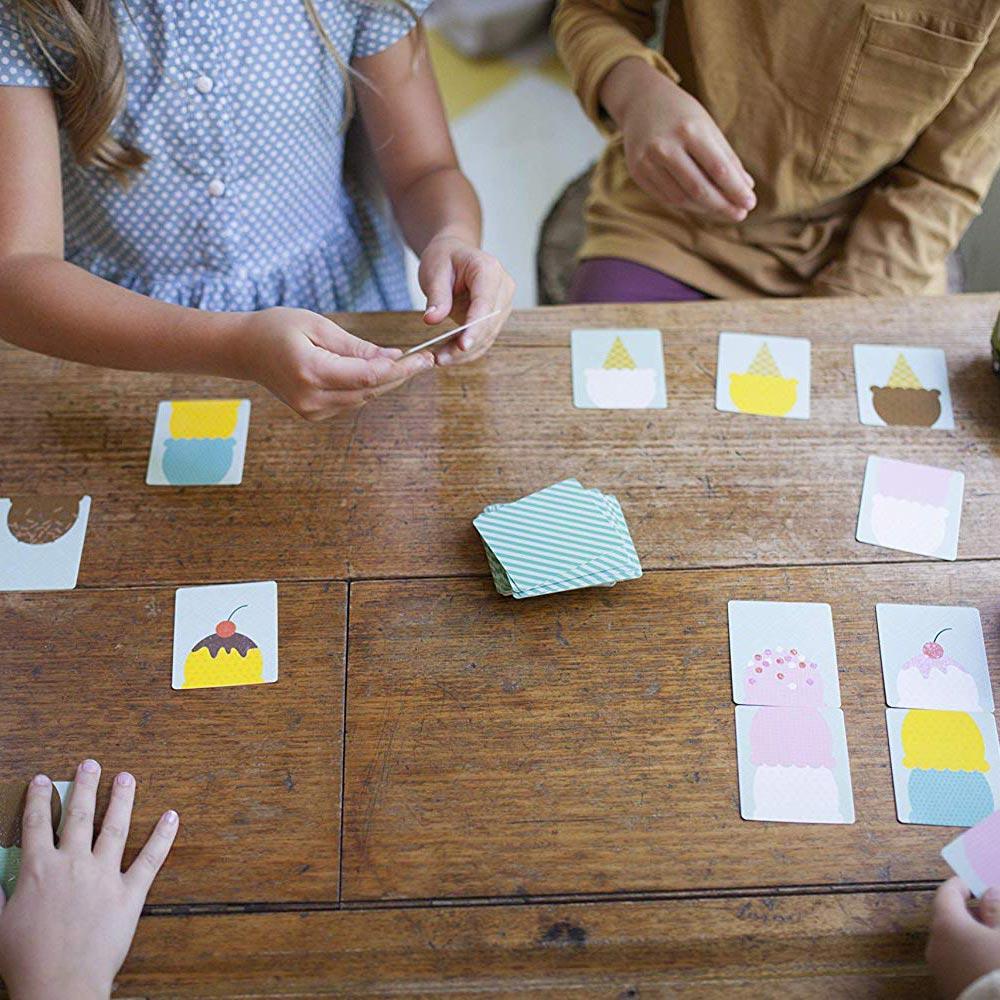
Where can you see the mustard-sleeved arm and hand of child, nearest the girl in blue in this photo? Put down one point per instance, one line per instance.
(674, 150)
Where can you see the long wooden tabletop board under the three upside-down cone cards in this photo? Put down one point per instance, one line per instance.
(392, 492)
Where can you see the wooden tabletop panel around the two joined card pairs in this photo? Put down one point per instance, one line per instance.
(586, 742)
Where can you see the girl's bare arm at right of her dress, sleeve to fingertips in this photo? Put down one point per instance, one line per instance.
(434, 203)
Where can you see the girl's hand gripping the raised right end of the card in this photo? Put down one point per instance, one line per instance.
(464, 282)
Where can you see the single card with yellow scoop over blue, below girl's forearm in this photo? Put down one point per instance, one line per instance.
(199, 442)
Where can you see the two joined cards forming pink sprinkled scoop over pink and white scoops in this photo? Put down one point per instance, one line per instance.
(791, 742)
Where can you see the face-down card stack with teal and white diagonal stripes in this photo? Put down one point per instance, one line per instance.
(561, 538)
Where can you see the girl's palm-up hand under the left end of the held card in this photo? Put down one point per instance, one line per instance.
(317, 368)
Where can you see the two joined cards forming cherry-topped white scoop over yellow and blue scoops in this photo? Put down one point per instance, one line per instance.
(942, 735)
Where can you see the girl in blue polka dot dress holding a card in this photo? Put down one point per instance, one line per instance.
(175, 195)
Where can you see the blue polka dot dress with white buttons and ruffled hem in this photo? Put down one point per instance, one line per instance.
(247, 201)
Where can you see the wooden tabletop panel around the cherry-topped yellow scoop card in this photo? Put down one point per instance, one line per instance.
(253, 771)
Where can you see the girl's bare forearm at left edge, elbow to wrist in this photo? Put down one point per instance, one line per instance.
(55, 308)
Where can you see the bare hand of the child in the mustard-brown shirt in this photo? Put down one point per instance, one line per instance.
(674, 150)
